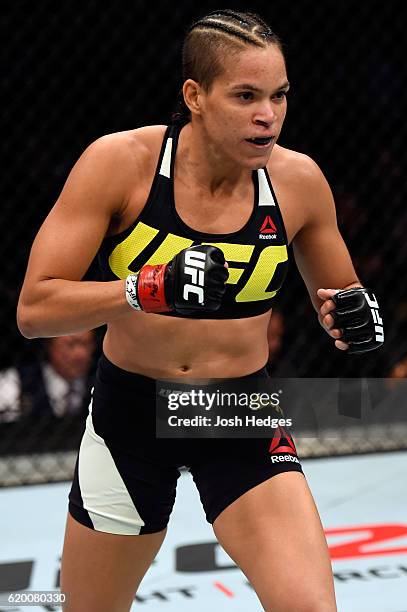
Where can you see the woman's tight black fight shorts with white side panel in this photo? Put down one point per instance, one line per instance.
(125, 478)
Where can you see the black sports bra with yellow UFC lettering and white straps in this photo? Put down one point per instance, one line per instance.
(256, 254)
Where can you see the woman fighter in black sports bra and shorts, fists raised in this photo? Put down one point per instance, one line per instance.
(192, 223)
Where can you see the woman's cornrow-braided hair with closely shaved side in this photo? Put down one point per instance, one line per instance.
(213, 37)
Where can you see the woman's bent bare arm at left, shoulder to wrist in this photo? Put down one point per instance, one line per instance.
(53, 300)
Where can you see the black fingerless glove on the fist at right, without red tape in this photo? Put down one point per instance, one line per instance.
(357, 316)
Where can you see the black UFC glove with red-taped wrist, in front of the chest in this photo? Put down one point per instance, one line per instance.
(192, 282)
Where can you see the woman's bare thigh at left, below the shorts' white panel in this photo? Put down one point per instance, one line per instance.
(100, 571)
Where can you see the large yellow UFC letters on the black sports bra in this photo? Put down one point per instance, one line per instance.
(255, 287)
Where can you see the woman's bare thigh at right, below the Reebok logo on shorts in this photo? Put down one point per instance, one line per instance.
(274, 534)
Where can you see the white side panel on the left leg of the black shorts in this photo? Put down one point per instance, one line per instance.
(103, 491)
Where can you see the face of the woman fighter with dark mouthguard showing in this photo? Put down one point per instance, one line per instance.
(246, 101)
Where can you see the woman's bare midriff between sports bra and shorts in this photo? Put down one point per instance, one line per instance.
(169, 347)
